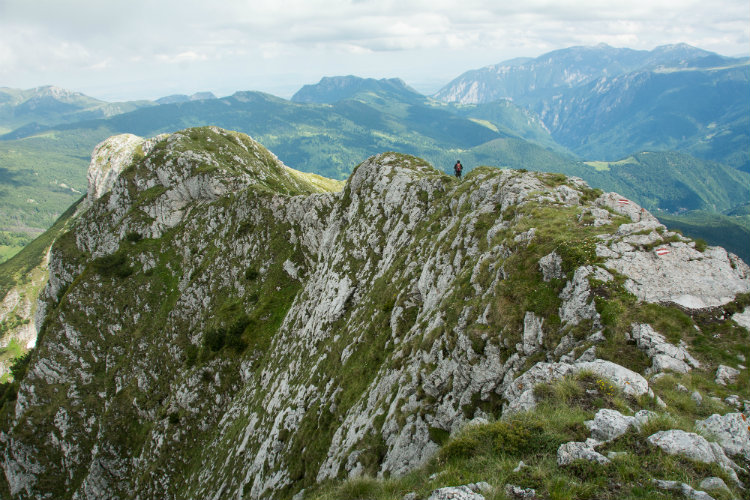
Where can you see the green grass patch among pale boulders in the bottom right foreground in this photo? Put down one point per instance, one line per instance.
(491, 452)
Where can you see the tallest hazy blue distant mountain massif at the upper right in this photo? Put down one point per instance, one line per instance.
(605, 103)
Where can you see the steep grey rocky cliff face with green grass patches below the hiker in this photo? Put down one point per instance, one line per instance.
(217, 325)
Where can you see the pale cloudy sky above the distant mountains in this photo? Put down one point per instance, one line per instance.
(146, 49)
